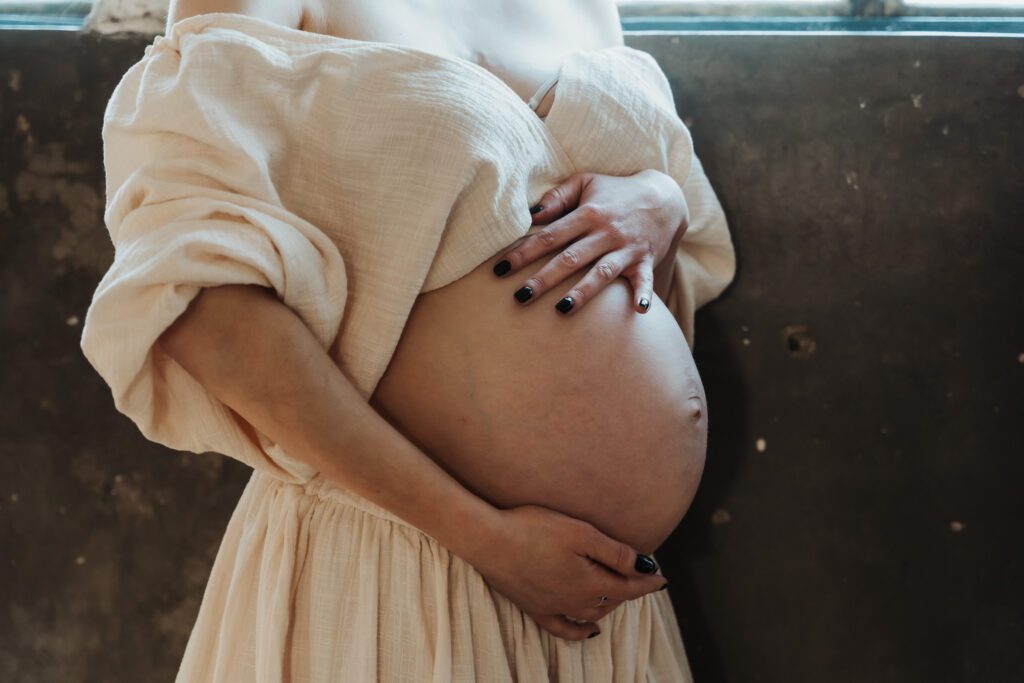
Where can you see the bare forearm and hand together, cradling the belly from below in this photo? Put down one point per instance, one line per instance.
(260, 359)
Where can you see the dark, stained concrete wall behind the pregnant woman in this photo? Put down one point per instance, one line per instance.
(861, 517)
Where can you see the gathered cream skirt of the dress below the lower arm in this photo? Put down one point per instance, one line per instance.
(314, 583)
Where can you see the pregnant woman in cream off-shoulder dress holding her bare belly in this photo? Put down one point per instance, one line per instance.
(431, 270)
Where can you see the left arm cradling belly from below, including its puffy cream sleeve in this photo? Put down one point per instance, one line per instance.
(198, 329)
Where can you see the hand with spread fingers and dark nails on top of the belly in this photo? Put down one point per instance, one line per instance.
(625, 224)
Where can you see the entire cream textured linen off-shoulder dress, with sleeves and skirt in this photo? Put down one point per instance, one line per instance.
(351, 177)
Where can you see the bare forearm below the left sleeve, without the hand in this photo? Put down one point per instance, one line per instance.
(258, 357)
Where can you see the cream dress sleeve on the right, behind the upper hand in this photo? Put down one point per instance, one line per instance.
(617, 115)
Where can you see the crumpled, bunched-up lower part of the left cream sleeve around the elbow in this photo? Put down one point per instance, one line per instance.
(176, 234)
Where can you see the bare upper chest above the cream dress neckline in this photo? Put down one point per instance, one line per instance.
(523, 42)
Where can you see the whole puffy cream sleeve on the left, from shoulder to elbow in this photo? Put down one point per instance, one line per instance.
(191, 205)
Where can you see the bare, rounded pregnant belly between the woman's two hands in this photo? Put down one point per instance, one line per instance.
(601, 415)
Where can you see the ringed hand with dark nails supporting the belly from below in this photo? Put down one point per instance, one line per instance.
(552, 566)
